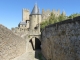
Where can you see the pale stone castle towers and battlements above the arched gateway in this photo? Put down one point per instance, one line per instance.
(31, 21)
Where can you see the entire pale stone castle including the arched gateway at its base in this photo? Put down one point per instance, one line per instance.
(30, 26)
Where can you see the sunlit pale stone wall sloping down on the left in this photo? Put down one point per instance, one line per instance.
(11, 45)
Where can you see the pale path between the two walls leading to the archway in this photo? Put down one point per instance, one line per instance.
(31, 55)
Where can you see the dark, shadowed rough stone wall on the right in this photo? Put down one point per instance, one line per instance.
(61, 41)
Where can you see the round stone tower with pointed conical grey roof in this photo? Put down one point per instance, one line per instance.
(35, 19)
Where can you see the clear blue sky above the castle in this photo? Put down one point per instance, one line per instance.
(11, 10)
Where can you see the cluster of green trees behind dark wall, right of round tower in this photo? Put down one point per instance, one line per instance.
(52, 19)
